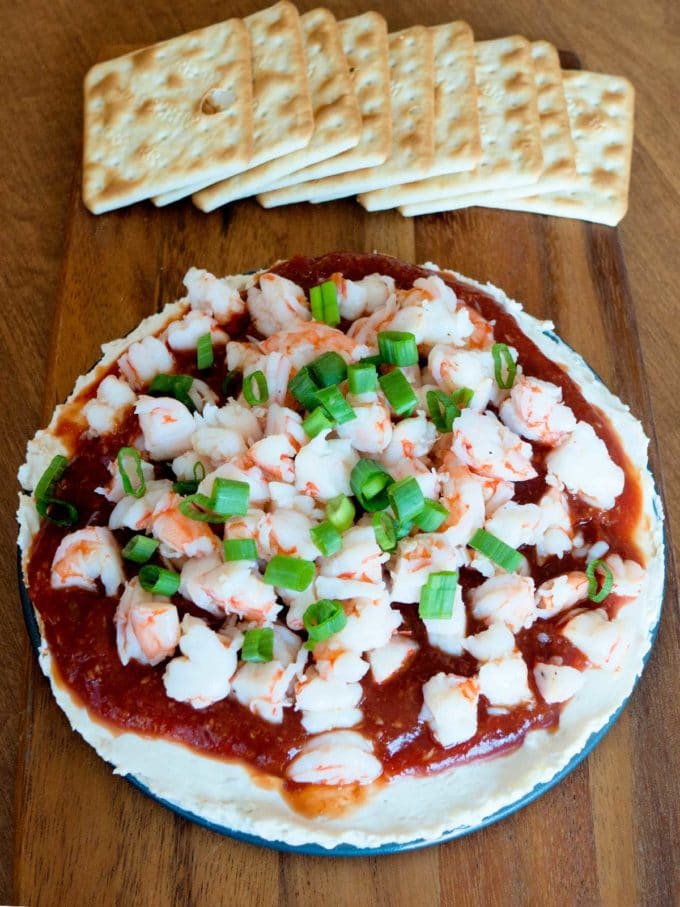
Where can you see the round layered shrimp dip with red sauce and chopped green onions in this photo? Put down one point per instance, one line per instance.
(343, 550)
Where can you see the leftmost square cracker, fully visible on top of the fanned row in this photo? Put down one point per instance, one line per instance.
(169, 115)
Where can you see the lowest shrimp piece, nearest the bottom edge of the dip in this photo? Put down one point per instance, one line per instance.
(335, 758)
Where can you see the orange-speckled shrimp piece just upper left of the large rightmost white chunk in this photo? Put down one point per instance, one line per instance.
(483, 443)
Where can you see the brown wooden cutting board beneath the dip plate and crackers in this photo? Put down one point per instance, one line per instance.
(85, 836)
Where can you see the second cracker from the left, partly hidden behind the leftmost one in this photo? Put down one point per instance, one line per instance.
(282, 107)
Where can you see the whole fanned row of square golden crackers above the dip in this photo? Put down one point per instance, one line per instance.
(293, 108)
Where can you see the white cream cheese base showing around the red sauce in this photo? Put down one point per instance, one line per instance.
(408, 808)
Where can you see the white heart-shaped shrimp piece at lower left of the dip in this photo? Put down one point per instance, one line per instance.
(202, 674)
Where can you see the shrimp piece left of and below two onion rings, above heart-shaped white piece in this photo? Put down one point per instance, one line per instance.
(232, 588)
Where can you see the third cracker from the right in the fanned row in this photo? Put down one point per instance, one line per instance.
(509, 124)
